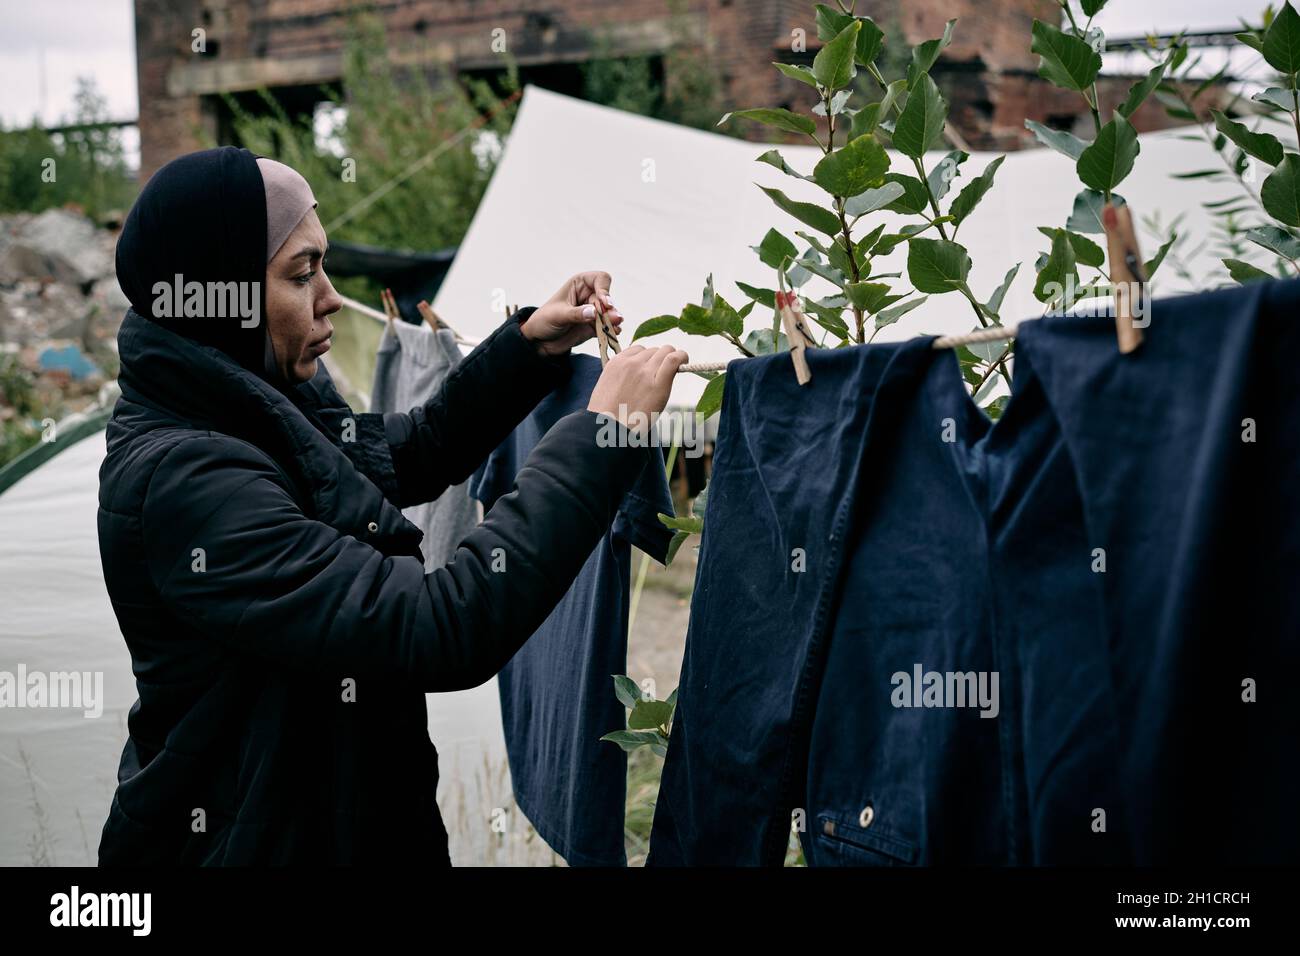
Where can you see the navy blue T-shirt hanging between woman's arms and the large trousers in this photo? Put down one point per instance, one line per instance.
(557, 694)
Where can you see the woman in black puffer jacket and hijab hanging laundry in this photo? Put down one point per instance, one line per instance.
(281, 626)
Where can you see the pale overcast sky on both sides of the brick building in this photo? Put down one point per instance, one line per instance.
(46, 45)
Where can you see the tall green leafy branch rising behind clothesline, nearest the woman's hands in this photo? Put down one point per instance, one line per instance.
(856, 175)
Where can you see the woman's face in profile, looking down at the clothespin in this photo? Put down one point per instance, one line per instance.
(300, 297)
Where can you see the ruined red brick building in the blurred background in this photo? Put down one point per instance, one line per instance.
(292, 47)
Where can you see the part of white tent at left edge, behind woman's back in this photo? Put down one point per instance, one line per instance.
(59, 767)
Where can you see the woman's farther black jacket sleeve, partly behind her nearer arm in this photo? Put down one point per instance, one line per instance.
(441, 443)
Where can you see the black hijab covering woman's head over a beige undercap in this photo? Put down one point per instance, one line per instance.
(202, 217)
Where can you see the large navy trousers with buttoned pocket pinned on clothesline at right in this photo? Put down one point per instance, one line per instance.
(1120, 551)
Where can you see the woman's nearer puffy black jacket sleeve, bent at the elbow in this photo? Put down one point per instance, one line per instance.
(293, 591)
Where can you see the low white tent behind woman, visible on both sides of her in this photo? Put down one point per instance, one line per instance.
(59, 768)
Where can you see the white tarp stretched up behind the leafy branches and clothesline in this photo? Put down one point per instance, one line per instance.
(661, 206)
